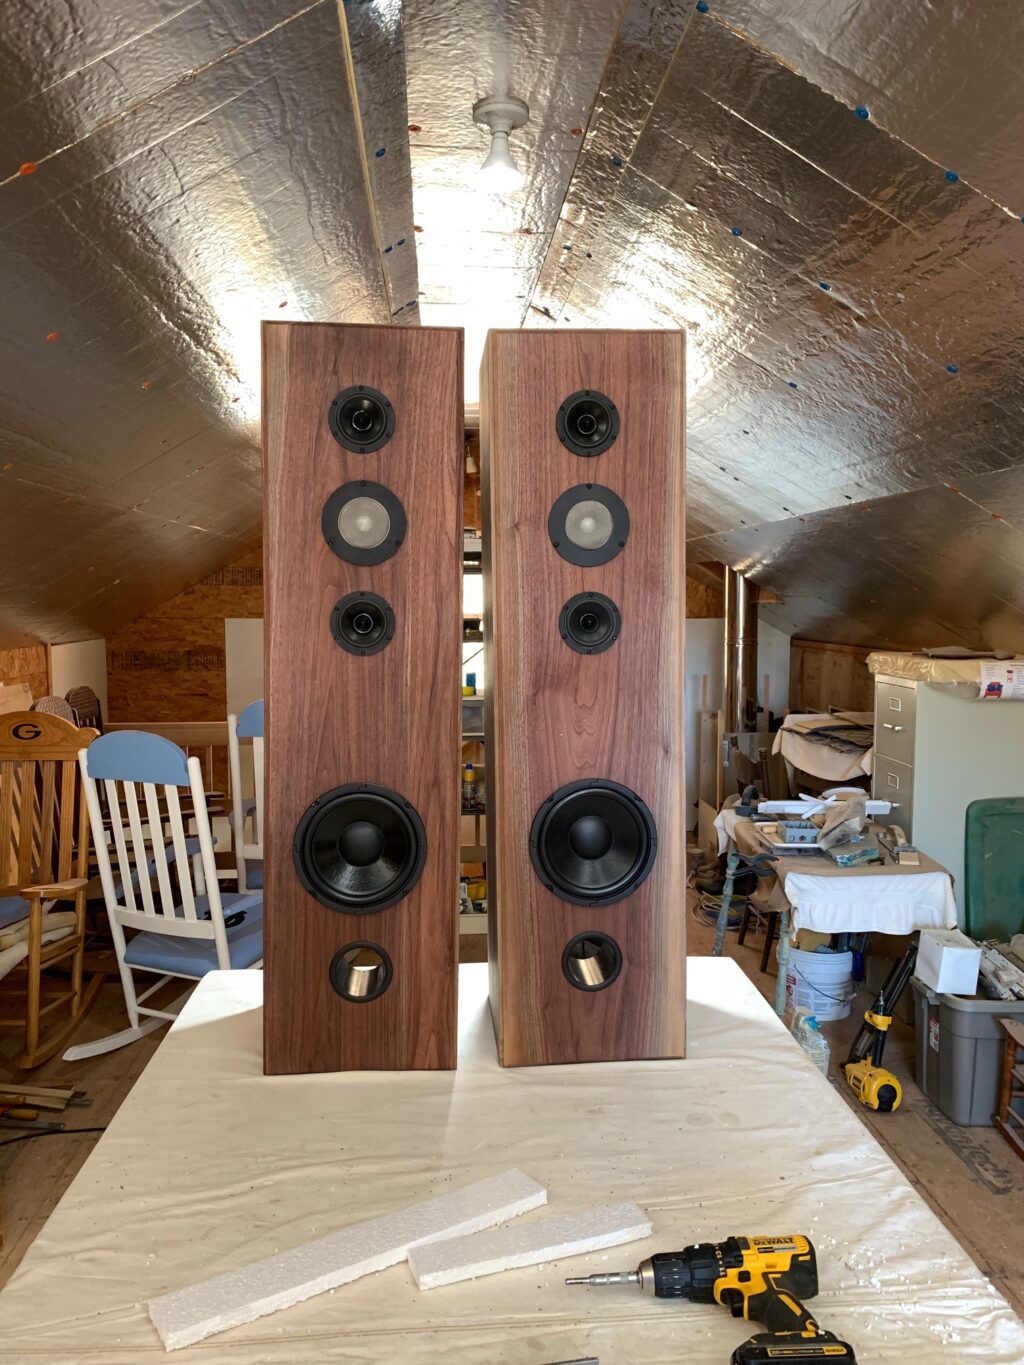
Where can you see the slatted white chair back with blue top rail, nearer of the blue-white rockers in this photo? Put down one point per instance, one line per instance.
(162, 882)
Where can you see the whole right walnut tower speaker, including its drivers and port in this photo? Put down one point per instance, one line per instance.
(582, 437)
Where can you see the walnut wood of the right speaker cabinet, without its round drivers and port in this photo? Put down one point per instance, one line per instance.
(555, 716)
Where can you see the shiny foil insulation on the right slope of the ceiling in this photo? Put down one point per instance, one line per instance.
(854, 309)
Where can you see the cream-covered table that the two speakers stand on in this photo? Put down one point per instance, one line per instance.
(210, 1165)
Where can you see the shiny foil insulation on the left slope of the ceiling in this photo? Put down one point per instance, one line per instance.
(188, 171)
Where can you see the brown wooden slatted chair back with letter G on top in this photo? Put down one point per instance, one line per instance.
(44, 829)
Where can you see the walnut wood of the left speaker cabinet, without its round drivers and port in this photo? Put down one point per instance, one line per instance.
(391, 719)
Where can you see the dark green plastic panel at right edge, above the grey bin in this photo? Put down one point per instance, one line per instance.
(995, 869)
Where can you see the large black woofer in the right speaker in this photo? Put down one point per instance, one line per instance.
(593, 843)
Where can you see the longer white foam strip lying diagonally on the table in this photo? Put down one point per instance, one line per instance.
(189, 1315)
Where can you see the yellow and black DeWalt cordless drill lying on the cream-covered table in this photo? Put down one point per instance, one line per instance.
(760, 1278)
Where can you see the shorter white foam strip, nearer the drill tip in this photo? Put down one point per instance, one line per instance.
(528, 1244)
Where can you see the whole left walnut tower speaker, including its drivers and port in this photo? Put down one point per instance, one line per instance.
(362, 544)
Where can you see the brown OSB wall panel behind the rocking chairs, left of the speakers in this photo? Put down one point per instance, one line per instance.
(169, 665)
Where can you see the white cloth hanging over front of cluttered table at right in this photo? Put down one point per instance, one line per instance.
(881, 904)
